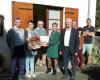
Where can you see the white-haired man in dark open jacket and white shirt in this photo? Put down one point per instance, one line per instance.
(69, 47)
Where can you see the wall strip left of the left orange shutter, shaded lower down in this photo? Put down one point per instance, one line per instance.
(5, 9)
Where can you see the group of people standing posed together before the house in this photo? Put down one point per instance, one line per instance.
(66, 46)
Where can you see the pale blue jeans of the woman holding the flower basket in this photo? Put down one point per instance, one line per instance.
(30, 62)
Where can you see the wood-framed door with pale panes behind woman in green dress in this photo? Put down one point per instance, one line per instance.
(54, 14)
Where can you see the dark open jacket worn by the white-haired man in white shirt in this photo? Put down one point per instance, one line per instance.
(73, 42)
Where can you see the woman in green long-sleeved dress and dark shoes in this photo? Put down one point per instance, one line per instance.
(52, 51)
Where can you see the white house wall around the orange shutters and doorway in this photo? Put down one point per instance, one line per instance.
(5, 9)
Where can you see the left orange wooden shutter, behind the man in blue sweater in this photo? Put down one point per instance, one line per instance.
(22, 10)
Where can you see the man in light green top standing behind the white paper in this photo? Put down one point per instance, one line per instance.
(41, 32)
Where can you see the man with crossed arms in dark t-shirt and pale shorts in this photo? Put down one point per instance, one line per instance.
(88, 33)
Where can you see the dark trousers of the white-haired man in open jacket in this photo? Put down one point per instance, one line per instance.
(68, 57)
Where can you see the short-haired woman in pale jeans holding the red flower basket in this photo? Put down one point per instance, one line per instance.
(30, 53)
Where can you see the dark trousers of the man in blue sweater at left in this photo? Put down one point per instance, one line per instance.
(18, 60)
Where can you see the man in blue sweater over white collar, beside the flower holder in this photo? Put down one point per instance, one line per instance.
(16, 43)
